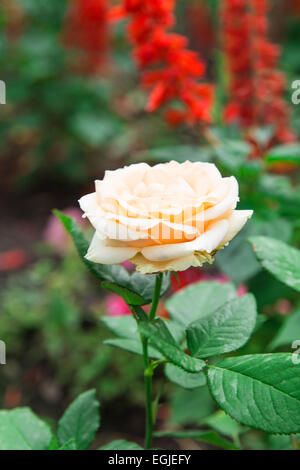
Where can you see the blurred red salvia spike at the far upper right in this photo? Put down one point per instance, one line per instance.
(256, 86)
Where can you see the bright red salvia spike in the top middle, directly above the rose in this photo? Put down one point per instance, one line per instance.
(170, 70)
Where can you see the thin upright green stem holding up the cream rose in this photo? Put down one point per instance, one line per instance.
(148, 372)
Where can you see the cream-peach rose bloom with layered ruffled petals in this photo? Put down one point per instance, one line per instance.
(163, 218)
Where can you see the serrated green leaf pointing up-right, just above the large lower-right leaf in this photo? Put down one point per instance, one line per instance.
(225, 330)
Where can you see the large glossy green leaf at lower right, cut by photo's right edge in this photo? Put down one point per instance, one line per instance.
(260, 391)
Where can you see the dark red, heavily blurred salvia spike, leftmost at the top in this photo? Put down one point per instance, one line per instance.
(86, 30)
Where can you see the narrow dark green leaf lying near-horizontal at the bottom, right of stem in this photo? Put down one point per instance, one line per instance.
(211, 437)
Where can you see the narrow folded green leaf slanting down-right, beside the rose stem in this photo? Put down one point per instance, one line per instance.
(159, 335)
